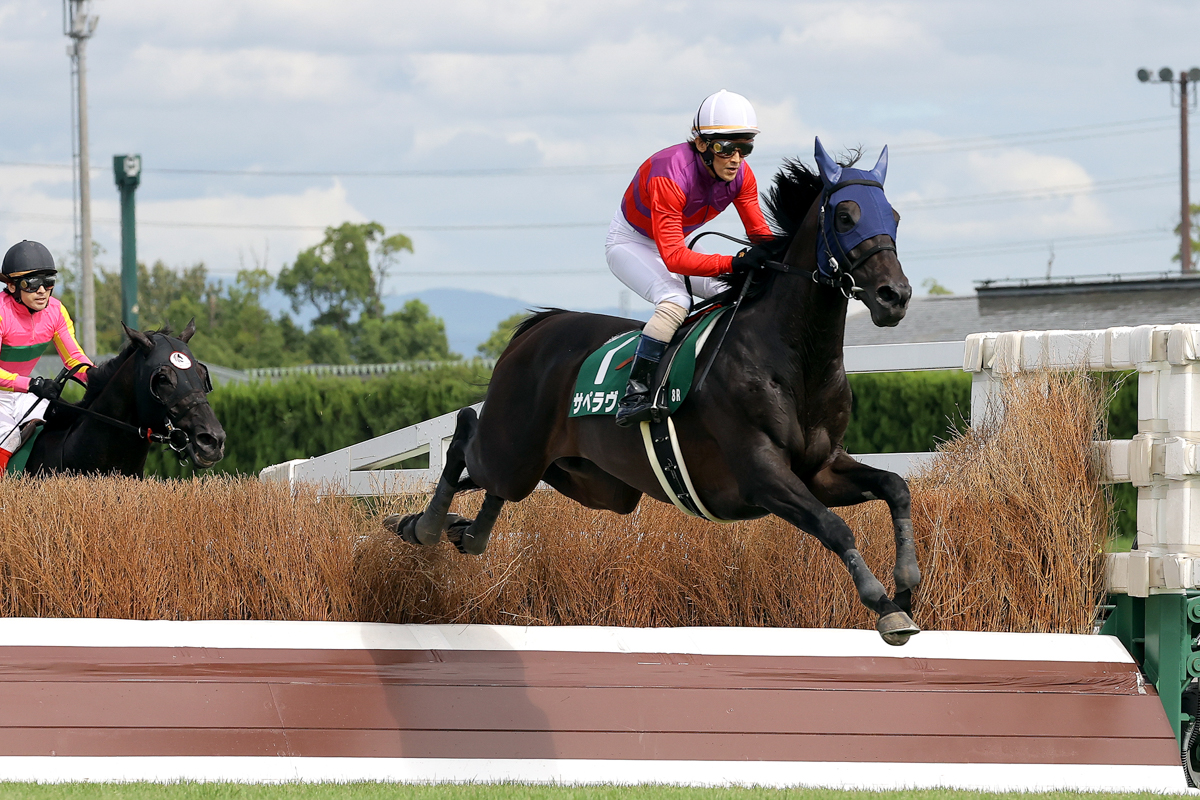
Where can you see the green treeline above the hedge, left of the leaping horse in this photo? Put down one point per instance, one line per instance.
(343, 276)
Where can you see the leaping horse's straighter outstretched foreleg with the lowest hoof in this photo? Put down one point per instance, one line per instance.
(775, 488)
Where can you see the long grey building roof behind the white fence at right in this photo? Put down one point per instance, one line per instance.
(1036, 306)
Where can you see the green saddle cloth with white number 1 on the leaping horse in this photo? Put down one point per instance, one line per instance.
(602, 381)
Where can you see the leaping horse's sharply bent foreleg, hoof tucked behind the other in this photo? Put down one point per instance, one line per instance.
(849, 483)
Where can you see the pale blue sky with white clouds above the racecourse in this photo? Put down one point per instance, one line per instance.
(569, 98)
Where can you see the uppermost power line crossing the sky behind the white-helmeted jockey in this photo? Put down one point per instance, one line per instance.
(1078, 133)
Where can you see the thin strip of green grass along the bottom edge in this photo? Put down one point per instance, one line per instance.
(489, 792)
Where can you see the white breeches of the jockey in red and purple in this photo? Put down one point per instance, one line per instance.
(637, 263)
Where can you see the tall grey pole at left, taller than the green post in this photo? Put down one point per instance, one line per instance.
(80, 25)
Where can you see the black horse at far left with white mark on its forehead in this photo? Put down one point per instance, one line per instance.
(153, 392)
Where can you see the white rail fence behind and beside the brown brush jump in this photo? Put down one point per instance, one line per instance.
(1163, 460)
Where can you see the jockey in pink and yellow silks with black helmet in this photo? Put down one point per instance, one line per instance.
(31, 321)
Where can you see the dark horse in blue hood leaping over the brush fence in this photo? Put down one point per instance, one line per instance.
(763, 435)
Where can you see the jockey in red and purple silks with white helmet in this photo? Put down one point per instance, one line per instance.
(675, 193)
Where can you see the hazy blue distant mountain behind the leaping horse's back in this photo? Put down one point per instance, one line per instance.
(471, 317)
